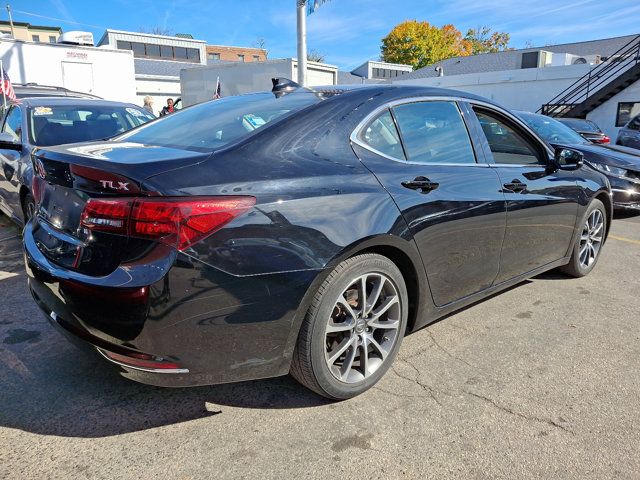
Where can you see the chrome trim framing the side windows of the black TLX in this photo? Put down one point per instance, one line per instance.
(435, 98)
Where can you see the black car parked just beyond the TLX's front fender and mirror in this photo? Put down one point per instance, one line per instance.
(621, 165)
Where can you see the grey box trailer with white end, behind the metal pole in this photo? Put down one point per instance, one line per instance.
(199, 84)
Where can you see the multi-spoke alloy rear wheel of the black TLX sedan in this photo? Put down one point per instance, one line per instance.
(363, 327)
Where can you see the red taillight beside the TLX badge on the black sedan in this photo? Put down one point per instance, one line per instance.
(177, 221)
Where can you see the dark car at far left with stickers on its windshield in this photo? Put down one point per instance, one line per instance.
(45, 121)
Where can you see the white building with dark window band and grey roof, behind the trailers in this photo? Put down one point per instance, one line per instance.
(158, 61)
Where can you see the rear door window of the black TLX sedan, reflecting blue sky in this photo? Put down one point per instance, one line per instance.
(434, 132)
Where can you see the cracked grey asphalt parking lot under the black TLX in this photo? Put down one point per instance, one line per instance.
(541, 381)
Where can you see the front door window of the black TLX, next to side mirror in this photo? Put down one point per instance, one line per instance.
(508, 145)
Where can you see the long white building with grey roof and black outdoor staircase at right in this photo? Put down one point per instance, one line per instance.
(598, 80)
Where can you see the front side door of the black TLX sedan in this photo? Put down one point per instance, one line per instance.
(542, 203)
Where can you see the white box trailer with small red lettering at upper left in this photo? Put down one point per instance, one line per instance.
(103, 72)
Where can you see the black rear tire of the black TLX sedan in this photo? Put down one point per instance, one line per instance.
(310, 365)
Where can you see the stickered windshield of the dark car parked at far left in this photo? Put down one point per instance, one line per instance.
(60, 124)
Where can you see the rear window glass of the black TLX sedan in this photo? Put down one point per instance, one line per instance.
(212, 125)
